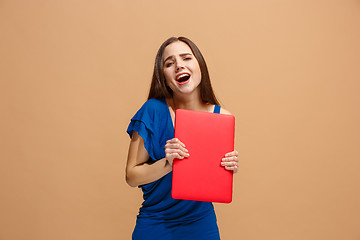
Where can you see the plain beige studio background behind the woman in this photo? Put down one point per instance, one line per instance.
(73, 73)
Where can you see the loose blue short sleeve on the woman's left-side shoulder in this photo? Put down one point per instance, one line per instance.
(144, 122)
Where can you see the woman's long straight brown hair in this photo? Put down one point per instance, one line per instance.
(158, 88)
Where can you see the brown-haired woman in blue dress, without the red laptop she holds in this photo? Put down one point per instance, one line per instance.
(180, 80)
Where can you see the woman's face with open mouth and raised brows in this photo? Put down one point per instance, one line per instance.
(181, 68)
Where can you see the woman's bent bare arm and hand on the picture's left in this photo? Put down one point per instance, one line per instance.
(139, 171)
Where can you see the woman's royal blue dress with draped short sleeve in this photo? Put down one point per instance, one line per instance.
(161, 217)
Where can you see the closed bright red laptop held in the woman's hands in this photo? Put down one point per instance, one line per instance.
(208, 137)
